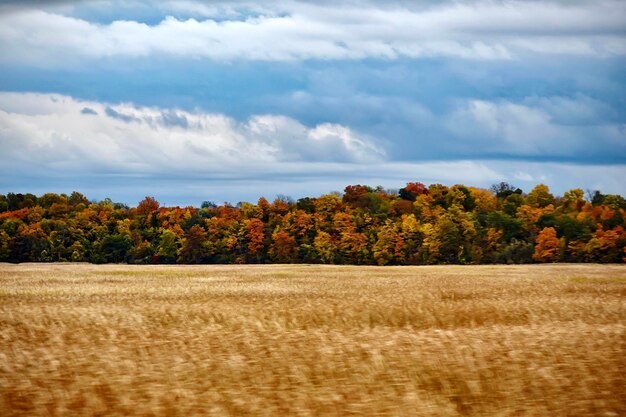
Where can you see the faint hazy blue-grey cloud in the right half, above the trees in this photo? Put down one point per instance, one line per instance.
(537, 127)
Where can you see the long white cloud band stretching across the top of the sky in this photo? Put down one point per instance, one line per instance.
(297, 30)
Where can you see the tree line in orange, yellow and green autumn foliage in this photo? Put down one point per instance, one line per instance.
(416, 225)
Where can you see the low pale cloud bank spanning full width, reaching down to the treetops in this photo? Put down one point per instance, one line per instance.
(52, 142)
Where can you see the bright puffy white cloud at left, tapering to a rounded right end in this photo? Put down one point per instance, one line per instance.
(49, 130)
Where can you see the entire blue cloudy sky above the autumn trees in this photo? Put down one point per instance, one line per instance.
(191, 101)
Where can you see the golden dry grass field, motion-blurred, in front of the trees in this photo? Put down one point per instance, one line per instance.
(542, 340)
